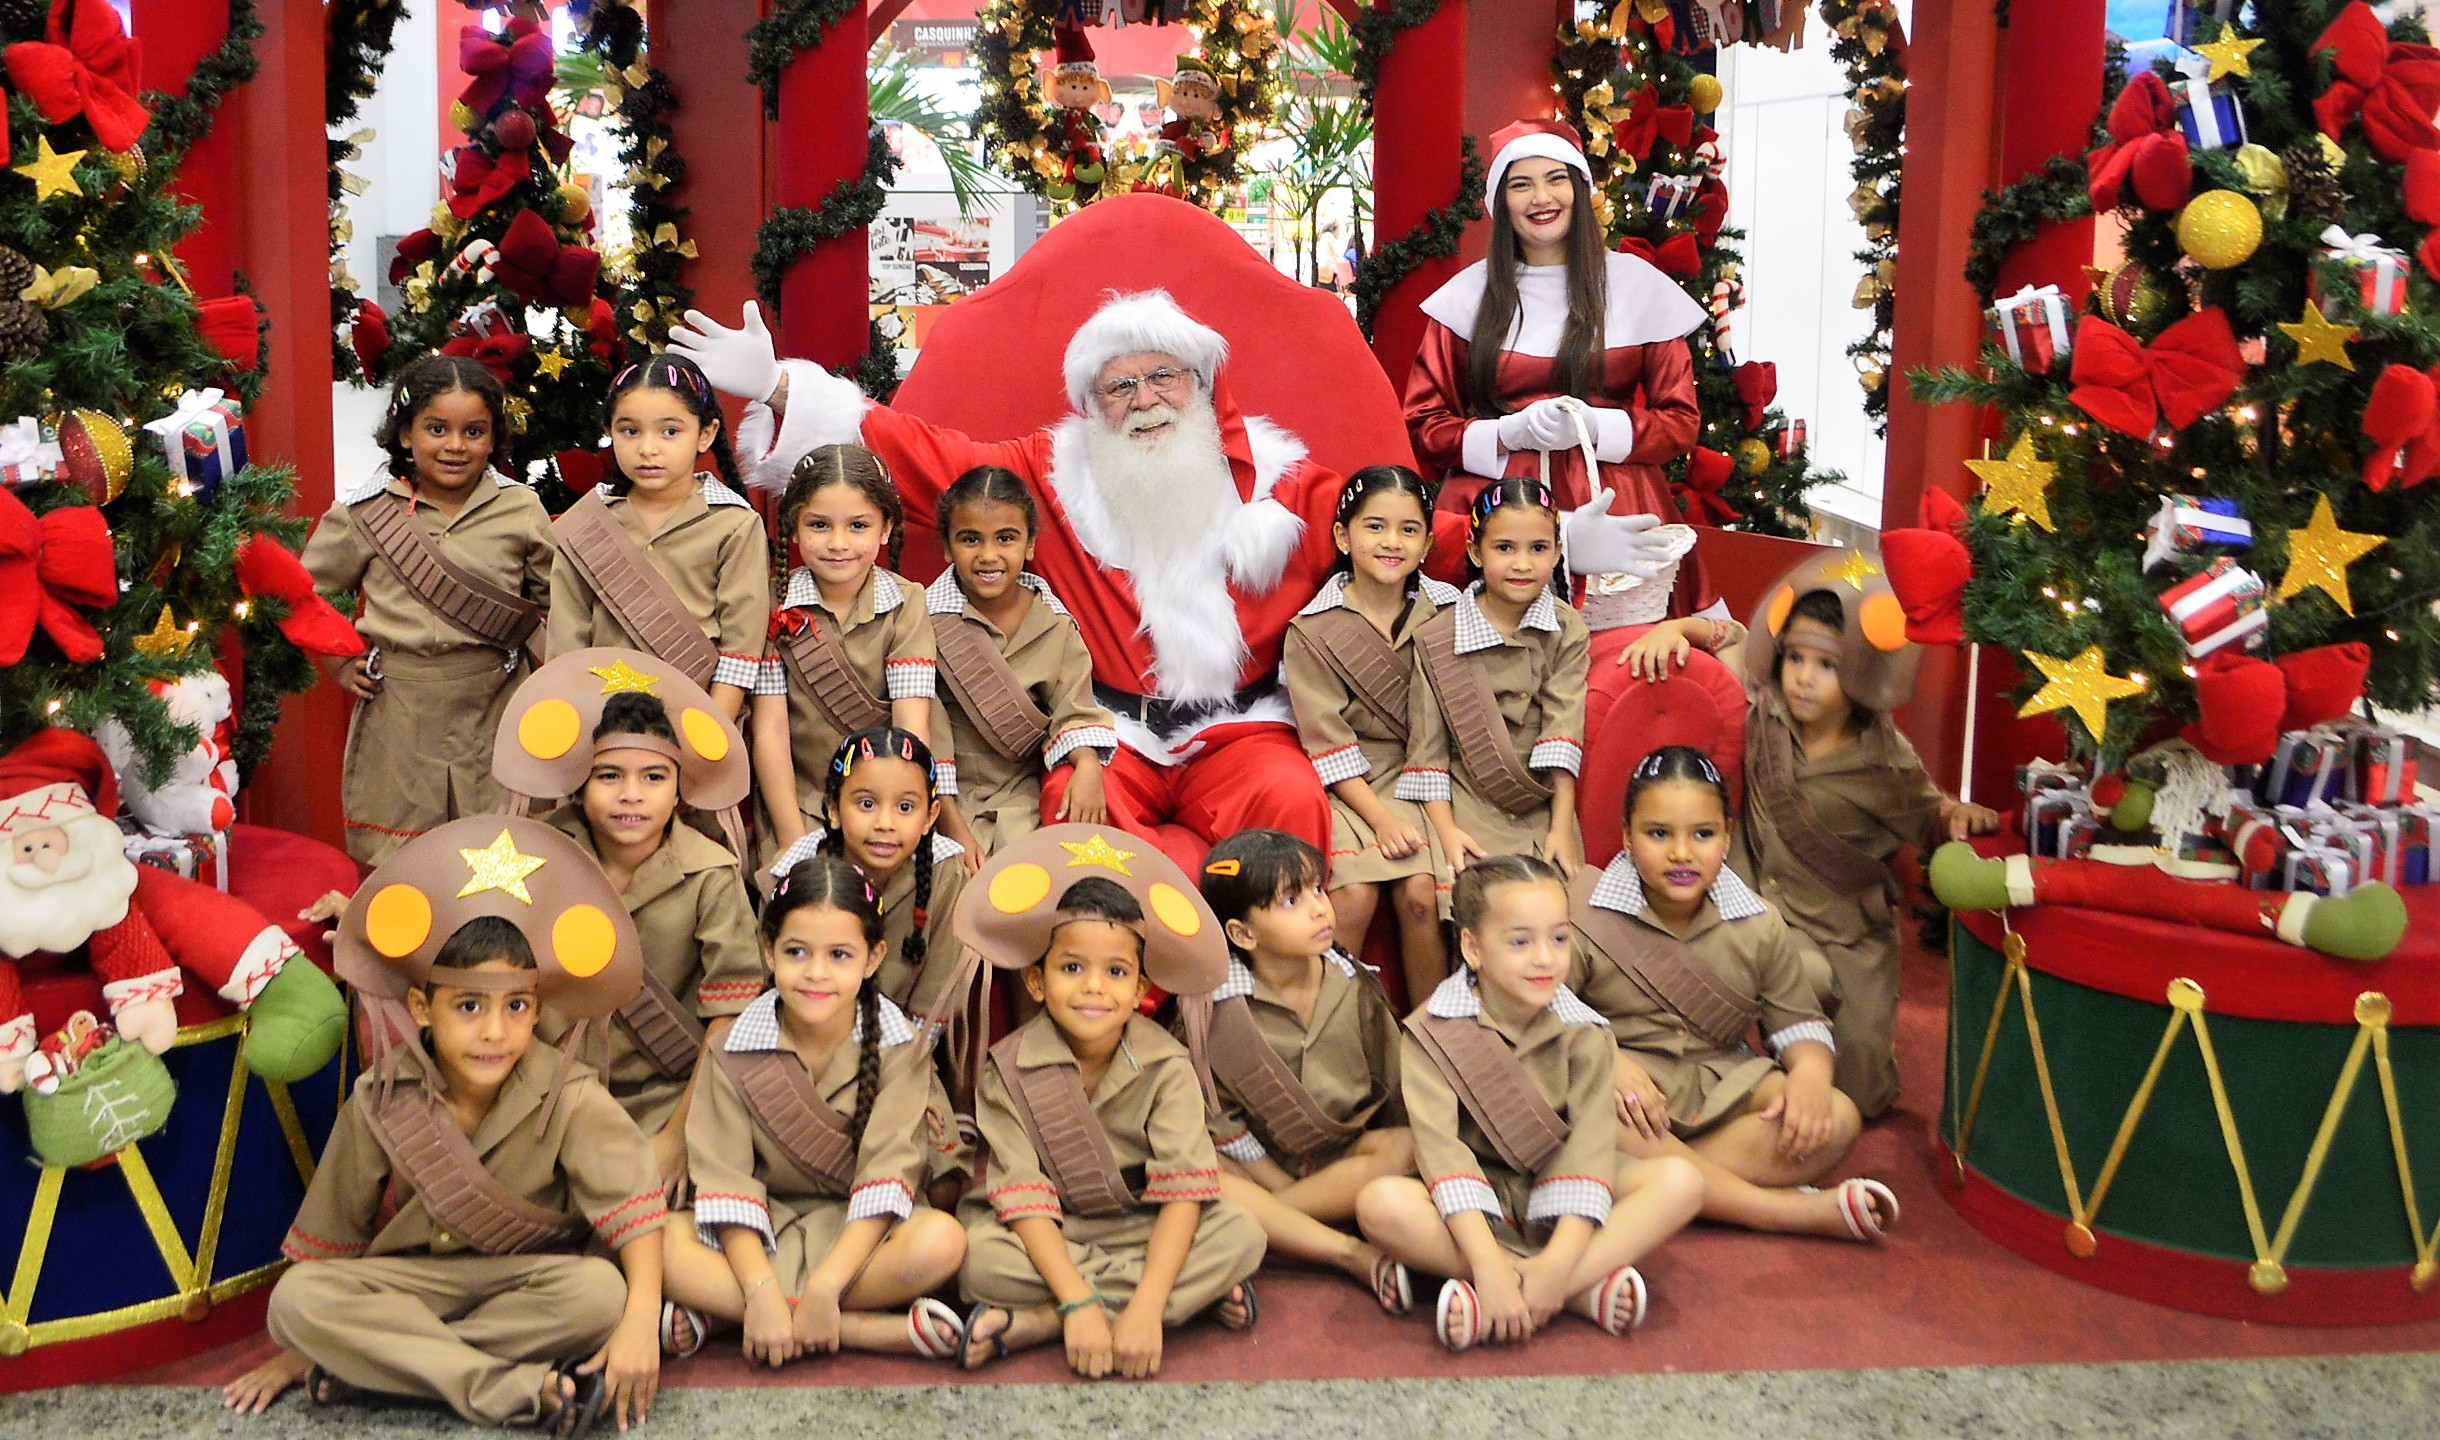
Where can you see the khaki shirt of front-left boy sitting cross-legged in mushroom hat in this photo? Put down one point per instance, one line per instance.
(589, 1163)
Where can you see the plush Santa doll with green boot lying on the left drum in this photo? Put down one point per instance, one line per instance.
(67, 885)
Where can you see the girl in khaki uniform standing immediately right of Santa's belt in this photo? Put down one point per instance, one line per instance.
(1348, 665)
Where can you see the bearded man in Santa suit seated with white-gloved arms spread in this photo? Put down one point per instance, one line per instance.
(1180, 533)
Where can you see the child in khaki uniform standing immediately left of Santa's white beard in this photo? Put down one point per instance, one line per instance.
(989, 604)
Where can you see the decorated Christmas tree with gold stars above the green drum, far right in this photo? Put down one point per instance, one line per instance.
(2205, 506)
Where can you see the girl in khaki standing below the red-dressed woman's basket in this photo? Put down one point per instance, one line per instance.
(1499, 694)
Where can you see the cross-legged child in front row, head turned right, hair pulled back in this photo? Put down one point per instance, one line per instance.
(1529, 1209)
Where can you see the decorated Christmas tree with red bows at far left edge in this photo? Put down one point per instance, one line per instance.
(135, 541)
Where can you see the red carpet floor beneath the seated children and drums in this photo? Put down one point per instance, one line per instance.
(1724, 1300)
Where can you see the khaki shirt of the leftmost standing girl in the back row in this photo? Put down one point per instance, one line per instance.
(501, 533)
